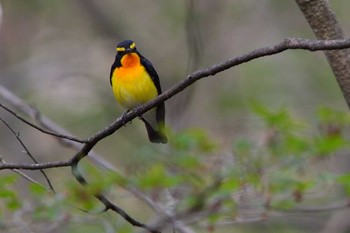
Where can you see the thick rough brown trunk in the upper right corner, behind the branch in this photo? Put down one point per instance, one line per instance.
(325, 25)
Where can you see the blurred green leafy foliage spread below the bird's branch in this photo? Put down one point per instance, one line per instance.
(271, 174)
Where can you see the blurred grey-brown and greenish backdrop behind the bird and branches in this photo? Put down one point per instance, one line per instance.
(56, 55)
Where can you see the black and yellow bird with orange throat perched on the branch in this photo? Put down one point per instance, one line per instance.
(135, 82)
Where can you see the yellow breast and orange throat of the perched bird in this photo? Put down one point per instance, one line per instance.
(131, 83)
